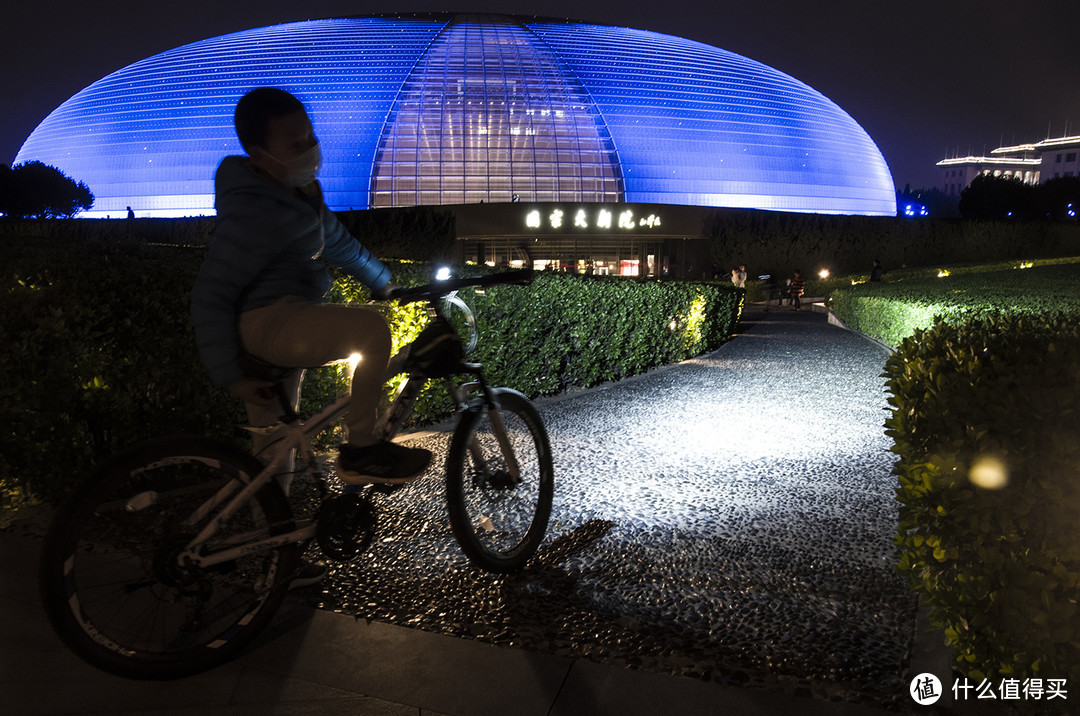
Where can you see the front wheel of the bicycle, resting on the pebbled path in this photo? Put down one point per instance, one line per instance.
(501, 525)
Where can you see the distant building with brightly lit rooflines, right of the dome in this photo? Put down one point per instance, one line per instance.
(1033, 164)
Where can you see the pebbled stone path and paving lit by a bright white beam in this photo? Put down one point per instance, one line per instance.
(745, 571)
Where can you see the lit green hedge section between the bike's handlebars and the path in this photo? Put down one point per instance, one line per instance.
(592, 330)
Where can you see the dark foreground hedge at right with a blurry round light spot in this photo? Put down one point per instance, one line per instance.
(985, 424)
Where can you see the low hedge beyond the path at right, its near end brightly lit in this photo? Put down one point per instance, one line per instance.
(909, 301)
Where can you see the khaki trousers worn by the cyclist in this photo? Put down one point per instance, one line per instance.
(294, 333)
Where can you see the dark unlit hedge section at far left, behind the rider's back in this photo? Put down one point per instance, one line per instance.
(97, 349)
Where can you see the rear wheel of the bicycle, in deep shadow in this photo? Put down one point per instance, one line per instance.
(110, 587)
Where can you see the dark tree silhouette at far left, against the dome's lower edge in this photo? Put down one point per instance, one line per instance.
(36, 191)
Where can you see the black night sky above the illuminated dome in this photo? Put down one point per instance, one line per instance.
(926, 78)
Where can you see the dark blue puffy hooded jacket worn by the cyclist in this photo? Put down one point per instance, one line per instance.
(271, 242)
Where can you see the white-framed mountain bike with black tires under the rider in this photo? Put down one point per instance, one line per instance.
(173, 556)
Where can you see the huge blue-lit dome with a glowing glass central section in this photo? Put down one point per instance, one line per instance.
(450, 110)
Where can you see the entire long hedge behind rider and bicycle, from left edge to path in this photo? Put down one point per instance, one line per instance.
(97, 348)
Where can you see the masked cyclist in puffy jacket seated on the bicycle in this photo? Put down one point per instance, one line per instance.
(262, 287)
